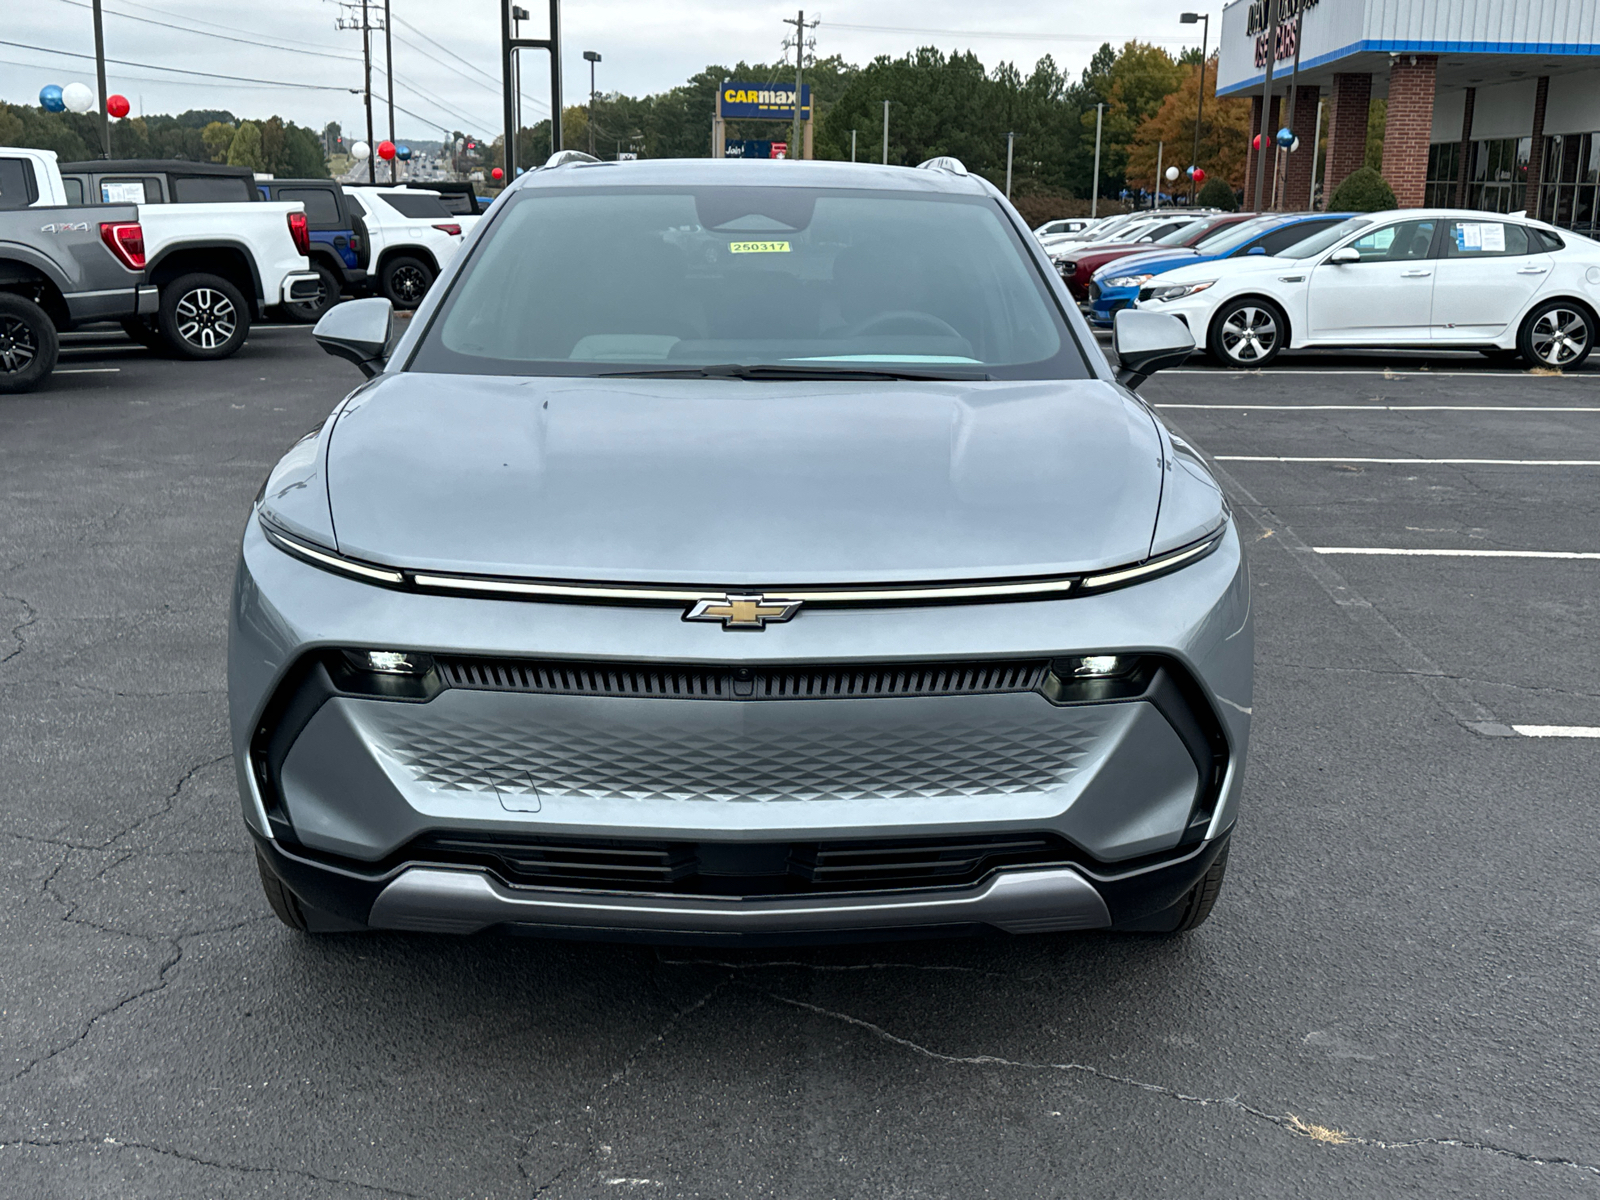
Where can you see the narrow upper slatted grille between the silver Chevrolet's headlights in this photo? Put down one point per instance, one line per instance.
(743, 684)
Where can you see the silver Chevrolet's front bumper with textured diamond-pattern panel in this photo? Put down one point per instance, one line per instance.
(353, 786)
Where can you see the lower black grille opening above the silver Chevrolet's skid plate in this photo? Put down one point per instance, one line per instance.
(738, 870)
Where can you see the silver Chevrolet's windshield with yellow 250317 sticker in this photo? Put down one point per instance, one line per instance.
(604, 279)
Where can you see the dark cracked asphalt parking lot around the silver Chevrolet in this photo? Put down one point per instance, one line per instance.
(1396, 994)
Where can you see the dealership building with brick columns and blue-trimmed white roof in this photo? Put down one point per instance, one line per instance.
(1494, 105)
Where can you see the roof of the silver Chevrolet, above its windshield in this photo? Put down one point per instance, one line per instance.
(751, 174)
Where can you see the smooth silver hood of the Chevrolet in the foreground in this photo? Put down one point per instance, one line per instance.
(743, 484)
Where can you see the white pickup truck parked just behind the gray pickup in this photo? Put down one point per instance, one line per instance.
(218, 262)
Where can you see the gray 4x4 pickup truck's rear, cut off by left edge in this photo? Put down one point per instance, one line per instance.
(62, 268)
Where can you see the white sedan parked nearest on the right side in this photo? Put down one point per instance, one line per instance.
(1415, 279)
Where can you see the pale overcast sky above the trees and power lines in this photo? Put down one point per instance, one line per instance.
(646, 47)
